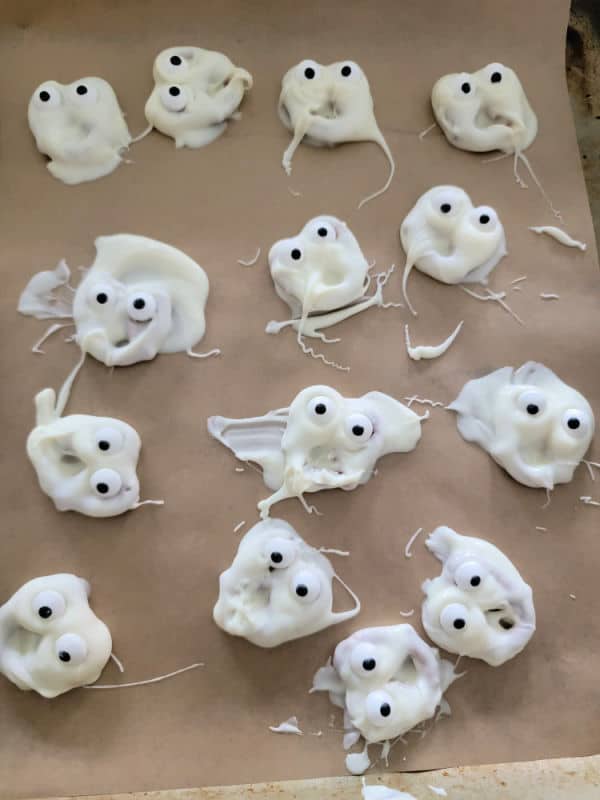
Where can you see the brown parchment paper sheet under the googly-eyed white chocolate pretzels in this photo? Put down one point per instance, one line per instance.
(154, 571)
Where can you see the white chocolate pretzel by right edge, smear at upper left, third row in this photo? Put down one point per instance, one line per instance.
(532, 423)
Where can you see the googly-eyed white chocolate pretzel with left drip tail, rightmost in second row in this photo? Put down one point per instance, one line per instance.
(449, 239)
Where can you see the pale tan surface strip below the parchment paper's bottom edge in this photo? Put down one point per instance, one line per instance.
(559, 779)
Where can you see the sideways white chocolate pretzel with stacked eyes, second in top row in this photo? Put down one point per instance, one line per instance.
(196, 92)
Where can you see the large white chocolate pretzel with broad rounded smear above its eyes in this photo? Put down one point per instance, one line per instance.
(139, 298)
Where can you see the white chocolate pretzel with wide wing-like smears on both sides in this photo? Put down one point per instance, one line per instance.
(322, 441)
